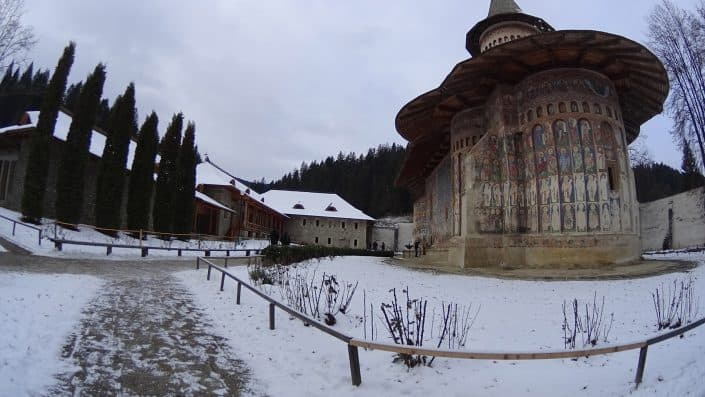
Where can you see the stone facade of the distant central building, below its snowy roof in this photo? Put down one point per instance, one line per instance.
(335, 232)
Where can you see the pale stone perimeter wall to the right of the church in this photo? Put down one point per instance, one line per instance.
(674, 222)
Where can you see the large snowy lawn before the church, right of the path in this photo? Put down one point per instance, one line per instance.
(515, 316)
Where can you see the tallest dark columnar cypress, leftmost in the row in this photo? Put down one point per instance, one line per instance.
(38, 161)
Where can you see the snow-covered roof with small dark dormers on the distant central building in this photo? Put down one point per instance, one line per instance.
(325, 205)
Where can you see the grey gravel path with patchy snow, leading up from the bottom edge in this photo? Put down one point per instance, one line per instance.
(142, 335)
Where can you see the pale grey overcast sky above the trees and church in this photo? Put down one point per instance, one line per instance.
(272, 83)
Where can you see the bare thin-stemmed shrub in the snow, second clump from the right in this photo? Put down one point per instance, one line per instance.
(588, 324)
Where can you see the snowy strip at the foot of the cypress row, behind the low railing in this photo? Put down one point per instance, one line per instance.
(27, 238)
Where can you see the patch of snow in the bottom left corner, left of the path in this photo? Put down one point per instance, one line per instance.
(37, 313)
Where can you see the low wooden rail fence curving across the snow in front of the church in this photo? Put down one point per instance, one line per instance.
(354, 343)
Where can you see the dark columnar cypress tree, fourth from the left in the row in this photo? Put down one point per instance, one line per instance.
(141, 186)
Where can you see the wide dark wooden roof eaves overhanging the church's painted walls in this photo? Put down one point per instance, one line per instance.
(638, 75)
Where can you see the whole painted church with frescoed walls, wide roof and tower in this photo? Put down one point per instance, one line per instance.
(520, 157)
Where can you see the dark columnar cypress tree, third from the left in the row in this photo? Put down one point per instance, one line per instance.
(111, 175)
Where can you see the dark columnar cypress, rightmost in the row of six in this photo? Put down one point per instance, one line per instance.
(186, 184)
